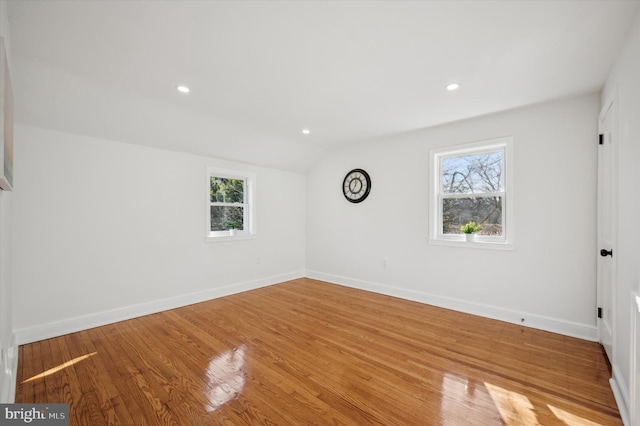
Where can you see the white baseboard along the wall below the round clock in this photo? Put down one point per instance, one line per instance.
(555, 325)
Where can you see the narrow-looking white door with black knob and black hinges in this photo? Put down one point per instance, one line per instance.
(607, 202)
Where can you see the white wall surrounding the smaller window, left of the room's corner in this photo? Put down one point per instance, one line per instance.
(106, 230)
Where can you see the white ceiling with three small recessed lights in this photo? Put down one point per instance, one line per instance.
(261, 71)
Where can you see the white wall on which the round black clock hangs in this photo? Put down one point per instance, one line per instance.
(549, 279)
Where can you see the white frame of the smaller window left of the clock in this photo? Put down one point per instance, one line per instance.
(249, 221)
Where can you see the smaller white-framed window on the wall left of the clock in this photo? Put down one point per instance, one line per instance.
(230, 206)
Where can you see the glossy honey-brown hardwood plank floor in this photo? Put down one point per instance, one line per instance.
(307, 352)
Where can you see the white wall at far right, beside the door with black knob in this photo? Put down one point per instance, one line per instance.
(623, 86)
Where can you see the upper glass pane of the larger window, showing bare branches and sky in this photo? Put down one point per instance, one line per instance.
(472, 174)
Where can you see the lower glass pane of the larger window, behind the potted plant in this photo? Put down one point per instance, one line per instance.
(487, 211)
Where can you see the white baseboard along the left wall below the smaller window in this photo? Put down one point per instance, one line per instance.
(85, 322)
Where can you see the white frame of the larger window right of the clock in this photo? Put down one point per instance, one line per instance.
(436, 155)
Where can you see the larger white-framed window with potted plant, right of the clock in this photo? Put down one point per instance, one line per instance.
(472, 183)
